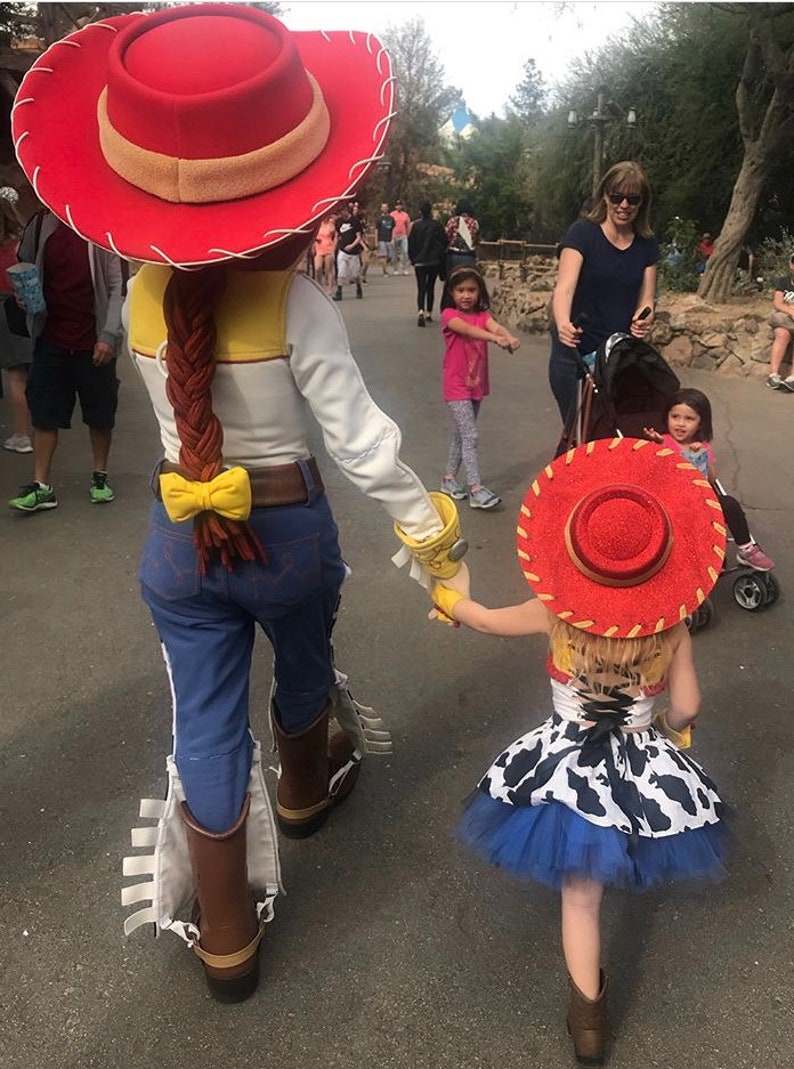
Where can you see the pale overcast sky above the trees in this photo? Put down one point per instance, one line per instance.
(485, 44)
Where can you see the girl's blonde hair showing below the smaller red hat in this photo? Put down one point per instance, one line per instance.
(604, 663)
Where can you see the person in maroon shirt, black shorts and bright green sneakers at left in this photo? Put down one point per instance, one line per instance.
(75, 349)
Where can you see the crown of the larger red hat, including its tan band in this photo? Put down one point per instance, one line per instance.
(205, 129)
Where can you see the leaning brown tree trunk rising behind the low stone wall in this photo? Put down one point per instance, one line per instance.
(718, 281)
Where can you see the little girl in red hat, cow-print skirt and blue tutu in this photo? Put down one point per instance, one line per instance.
(620, 543)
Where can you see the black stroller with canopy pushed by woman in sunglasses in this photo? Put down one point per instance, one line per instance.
(624, 389)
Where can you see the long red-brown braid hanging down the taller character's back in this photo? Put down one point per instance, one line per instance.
(190, 305)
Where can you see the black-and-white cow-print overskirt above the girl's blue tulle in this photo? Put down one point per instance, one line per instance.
(635, 782)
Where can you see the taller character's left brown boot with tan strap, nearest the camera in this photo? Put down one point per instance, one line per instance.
(226, 912)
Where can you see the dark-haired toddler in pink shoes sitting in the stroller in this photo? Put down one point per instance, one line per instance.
(689, 420)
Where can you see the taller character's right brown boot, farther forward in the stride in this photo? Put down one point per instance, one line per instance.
(316, 774)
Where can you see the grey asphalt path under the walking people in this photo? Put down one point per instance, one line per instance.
(394, 948)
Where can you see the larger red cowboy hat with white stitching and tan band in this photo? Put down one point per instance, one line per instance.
(201, 133)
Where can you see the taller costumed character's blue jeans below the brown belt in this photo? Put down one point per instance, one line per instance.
(207, 625)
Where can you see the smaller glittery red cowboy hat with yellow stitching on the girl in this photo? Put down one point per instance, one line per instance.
(621, 538)
